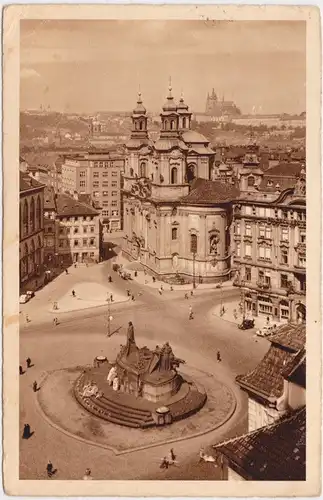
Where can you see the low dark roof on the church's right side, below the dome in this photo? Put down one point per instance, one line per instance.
(210, 192)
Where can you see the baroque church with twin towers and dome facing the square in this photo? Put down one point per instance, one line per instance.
(176, 216)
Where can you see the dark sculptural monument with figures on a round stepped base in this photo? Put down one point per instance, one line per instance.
(140, 388)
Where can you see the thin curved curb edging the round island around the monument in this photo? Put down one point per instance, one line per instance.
(117, 452)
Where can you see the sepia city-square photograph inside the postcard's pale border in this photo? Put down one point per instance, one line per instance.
(162, 226)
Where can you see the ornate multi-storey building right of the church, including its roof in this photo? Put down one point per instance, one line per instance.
(269, 242)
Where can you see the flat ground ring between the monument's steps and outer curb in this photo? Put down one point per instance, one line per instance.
(58, 406)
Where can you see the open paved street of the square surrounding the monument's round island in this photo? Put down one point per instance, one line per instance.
(81, 335)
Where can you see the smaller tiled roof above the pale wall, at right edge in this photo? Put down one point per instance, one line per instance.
(267, 379)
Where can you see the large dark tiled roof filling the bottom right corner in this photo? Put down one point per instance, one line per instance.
(273, 453)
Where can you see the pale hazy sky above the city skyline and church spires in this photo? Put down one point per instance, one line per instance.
(88, 66)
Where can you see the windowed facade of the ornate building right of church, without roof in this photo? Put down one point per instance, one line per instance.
(269, 249)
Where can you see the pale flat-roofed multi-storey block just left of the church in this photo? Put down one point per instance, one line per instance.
(100, 175)
